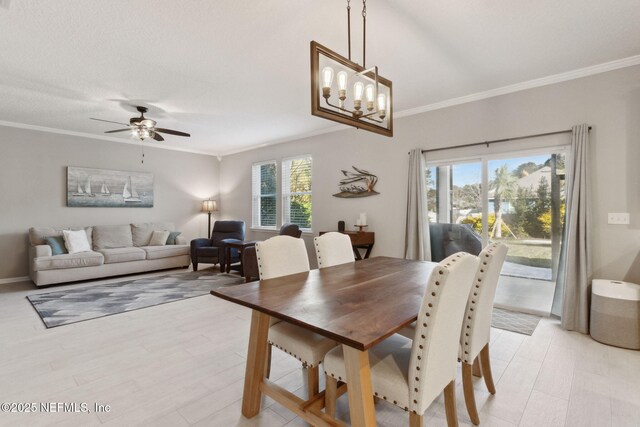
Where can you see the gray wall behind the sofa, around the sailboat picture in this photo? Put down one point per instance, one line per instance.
(33, 187)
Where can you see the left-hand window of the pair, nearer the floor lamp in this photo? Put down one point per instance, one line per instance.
(264, 187)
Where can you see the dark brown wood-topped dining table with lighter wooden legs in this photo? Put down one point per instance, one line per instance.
(358, 305)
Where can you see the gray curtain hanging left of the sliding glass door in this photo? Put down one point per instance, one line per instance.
(416, 237)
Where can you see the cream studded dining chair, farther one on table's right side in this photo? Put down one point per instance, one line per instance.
(476, 327)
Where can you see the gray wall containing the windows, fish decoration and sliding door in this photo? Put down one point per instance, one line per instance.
(610, 102)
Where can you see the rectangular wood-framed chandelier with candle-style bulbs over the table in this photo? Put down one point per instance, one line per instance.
(349, 93)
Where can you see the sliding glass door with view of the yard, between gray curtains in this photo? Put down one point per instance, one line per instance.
(517, 199)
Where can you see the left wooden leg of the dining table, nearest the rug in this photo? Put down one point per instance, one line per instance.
(256, 359)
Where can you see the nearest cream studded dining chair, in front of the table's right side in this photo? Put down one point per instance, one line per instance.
(412, 374)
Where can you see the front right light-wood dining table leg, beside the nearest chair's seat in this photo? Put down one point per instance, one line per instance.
(361, 406)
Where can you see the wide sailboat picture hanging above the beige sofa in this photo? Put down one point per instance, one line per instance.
(102, 188)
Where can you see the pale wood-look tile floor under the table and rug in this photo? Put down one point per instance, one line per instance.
(182, 363)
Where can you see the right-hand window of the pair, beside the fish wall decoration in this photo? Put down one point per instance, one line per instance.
(296, 191)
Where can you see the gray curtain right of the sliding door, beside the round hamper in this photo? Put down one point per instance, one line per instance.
(573, 289)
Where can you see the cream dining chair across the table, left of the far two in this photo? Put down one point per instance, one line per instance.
(283, 256)
